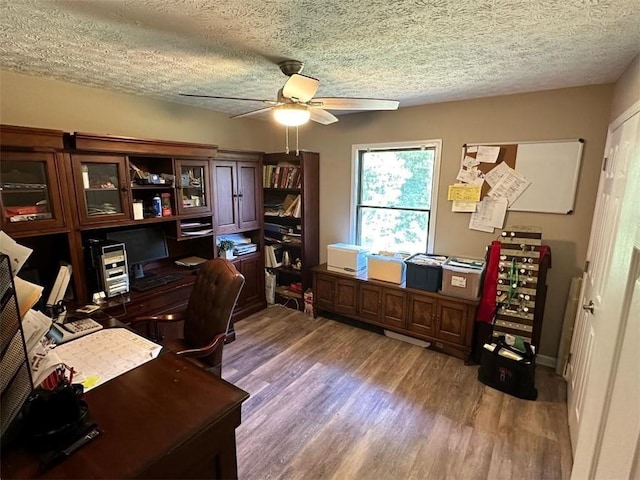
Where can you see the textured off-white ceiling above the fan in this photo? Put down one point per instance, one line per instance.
(420, 51)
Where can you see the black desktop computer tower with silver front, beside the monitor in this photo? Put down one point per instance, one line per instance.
(109, 263)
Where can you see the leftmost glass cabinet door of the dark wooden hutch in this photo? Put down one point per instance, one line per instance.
(29, 191)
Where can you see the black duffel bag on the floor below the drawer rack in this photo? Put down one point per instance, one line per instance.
(515, 377)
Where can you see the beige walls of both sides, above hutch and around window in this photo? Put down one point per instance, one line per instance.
(570, 113)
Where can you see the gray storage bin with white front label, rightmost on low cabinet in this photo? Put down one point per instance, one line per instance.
(461, 277)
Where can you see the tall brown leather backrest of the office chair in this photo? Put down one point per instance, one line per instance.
(211, 305)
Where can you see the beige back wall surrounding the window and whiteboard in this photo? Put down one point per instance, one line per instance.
(560, 114)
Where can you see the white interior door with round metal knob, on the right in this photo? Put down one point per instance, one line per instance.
(599, 319)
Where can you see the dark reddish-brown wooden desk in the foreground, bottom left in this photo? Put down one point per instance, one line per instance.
(165, 419)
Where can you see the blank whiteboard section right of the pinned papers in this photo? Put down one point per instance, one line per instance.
(553, 168)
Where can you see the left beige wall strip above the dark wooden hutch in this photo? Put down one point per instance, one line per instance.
(37, 102)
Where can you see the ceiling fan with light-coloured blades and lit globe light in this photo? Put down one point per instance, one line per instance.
(295, 104)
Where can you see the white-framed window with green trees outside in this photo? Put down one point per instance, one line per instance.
(395, 191)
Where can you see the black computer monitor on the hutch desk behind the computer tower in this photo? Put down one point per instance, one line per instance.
(143, 245)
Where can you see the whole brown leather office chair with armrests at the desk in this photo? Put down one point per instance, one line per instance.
(207, 316)
